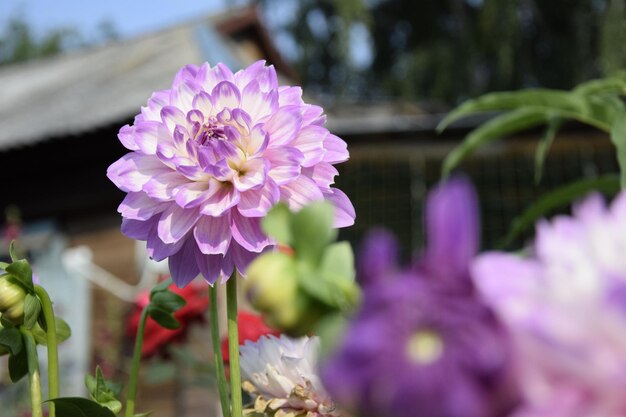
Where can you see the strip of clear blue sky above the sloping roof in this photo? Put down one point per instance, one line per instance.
(129, 17)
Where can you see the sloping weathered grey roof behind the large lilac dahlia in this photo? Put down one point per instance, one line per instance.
(89, 89)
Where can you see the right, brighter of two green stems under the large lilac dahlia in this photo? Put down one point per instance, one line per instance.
(233, 346)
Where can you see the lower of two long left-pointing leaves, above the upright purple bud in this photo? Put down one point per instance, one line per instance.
(495, 128)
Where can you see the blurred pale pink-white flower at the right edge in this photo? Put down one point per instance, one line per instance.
(566, 308)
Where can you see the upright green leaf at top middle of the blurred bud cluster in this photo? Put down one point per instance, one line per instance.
(312, 229)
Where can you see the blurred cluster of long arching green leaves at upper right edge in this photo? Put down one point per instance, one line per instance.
(597, 103)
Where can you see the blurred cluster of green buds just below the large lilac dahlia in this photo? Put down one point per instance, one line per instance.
(296, 290)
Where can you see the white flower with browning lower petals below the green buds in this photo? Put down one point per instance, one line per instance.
(281, 374)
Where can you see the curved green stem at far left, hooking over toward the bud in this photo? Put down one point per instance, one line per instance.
(52, 344)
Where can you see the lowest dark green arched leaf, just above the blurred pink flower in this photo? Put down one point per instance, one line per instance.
(561, 197)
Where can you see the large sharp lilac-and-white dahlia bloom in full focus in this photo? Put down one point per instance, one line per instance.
(210, 156)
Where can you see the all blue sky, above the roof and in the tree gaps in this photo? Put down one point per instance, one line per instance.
(134, 17)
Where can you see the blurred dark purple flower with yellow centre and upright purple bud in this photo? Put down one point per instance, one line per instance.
(420, 346)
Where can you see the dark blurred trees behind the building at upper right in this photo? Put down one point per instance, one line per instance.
(448, 50)
